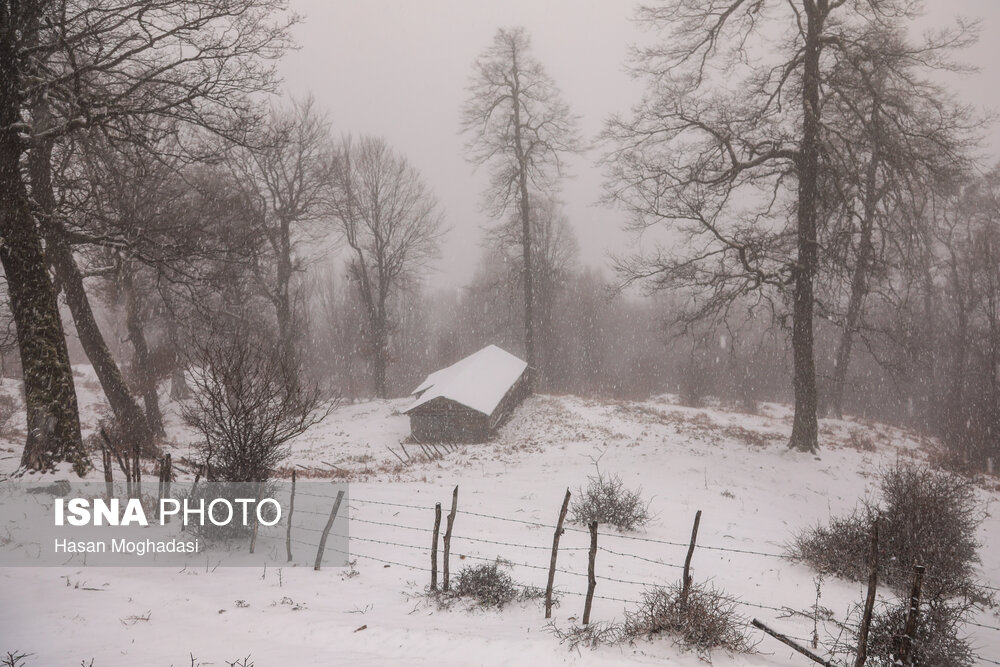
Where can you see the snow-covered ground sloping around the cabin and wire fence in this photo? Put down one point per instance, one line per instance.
(754, 494)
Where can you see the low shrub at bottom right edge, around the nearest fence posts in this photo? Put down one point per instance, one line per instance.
(938, 640)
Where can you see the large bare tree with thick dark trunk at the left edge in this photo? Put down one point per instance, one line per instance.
(70, 65)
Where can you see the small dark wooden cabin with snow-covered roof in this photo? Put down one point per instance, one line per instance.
(468, 400)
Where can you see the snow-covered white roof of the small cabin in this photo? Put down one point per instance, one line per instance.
(480, 381)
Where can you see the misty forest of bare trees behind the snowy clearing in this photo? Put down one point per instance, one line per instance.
(815, 223)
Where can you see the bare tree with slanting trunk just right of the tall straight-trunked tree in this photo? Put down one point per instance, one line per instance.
(891, 136)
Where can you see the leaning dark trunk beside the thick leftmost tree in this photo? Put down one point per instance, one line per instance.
(127, 412)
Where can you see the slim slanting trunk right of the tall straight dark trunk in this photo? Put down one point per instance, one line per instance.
(859, 279)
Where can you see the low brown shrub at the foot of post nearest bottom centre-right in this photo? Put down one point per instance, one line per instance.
(706, 621)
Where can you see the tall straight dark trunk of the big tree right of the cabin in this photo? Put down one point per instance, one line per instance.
(805, 426)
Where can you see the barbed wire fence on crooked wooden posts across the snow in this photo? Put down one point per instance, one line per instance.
(431, 537)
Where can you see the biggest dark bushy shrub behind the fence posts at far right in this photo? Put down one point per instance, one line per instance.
(928, 517)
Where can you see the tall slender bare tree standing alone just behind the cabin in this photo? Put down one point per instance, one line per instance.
(519, 126)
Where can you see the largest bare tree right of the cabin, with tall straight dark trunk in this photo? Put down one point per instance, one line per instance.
(728, 150)
